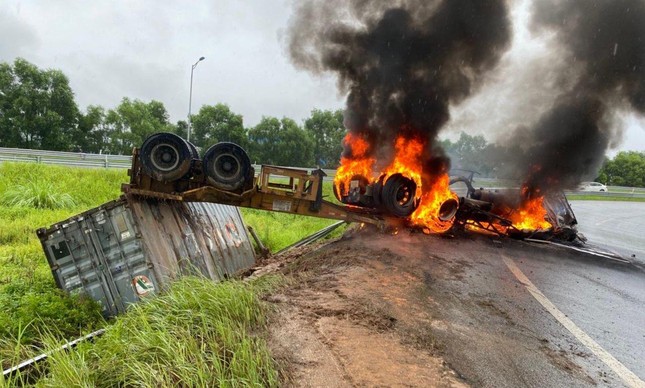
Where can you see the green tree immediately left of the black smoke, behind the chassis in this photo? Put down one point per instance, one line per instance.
(327, 131)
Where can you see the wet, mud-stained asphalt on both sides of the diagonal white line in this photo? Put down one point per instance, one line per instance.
(498, 334)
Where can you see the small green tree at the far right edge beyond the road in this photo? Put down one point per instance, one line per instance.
(626, 169)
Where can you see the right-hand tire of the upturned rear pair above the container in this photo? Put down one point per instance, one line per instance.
(227, 166)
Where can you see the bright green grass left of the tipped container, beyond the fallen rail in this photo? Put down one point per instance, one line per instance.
(33, 196)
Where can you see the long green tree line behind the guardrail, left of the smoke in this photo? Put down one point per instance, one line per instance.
(38, 111)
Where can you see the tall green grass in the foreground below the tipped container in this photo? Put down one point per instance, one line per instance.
(197, 334)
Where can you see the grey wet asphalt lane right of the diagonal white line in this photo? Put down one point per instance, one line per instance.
(605, 300)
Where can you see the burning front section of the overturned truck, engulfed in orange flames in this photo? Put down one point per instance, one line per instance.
(400, 191)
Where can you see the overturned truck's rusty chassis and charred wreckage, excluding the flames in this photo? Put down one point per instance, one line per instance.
(168, 167)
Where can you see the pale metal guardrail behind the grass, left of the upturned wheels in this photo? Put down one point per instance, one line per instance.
(75, 159)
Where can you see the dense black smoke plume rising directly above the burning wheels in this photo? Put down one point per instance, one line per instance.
(402, 64)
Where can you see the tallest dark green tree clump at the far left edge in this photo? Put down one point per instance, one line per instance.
(37, 108)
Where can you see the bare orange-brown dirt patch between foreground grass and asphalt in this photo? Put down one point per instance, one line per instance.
(350, 317)
